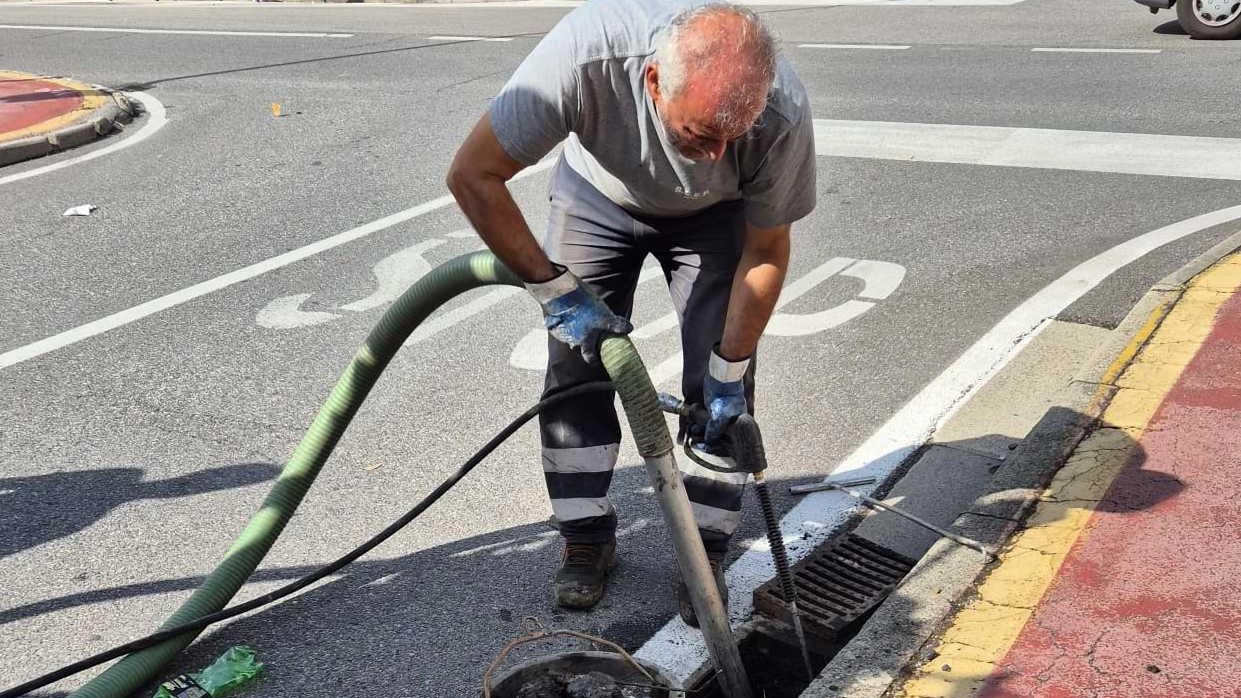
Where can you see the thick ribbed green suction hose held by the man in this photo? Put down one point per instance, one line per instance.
(432, 291)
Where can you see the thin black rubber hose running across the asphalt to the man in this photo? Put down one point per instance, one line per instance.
(300, 584)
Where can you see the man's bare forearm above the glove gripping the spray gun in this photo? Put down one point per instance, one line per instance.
(755, 290)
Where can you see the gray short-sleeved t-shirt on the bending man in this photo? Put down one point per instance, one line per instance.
(584, 83)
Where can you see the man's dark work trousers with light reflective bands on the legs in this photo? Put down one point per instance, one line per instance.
(606, 245)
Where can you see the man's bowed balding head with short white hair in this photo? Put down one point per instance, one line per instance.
(754, 47)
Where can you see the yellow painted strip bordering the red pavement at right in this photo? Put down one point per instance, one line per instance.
(983, 632)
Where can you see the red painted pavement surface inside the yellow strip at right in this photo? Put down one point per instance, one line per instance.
(1149, 602)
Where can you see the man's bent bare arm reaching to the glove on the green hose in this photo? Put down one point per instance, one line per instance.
(477, 179)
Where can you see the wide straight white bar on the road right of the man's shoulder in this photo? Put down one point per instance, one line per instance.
(1083, 151)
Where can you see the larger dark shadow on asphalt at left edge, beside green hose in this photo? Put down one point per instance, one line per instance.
(42, 509)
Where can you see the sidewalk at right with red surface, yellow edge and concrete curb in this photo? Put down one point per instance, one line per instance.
(1125, 581)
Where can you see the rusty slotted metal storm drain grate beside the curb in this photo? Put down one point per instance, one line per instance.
(837, 584)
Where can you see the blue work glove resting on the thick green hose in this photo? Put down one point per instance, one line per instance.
(575, 316)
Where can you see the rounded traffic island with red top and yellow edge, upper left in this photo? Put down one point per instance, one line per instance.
(43, 115)
